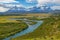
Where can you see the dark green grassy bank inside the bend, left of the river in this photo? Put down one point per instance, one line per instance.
(11, 28)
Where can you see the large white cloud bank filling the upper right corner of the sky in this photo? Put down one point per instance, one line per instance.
(49, 2)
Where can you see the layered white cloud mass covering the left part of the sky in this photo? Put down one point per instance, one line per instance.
(4, 6)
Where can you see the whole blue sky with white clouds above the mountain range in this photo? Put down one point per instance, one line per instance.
(55, 4)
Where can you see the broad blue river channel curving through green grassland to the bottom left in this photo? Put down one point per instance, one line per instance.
(30, 29)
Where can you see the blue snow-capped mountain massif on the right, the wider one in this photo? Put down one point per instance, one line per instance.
(39, 9)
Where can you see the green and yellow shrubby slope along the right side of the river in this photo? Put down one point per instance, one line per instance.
(49, 30)
